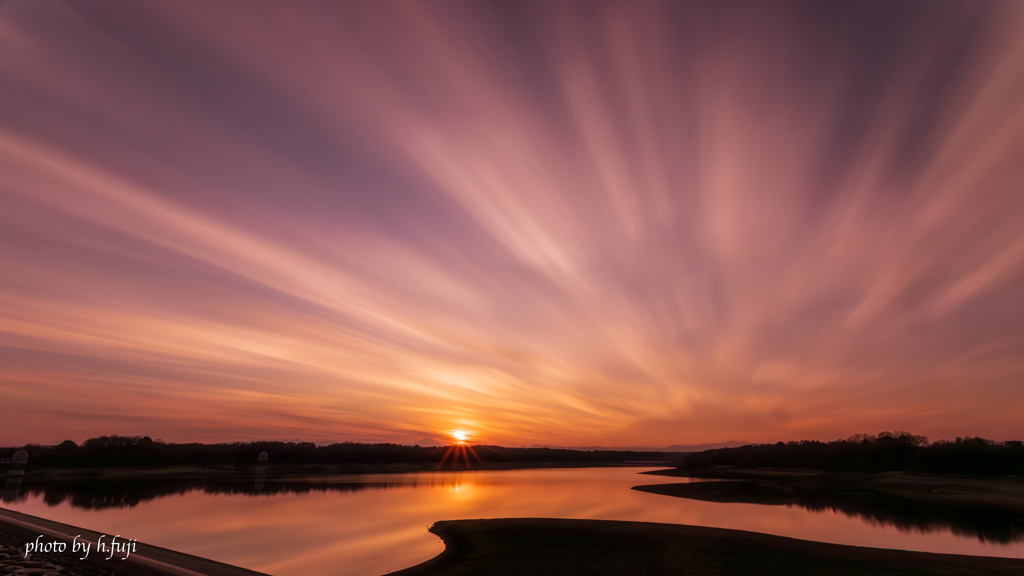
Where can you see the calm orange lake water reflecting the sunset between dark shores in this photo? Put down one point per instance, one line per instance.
(369, 525)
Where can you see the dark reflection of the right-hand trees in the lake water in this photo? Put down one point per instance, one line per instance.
(988, 523)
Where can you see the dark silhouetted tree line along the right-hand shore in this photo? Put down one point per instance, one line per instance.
(897, 451)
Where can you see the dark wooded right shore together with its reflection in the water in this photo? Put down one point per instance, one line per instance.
(962, 492)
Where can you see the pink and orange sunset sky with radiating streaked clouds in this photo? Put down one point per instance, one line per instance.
(618, 224)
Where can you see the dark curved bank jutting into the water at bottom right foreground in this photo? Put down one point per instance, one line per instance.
(568, 548)
